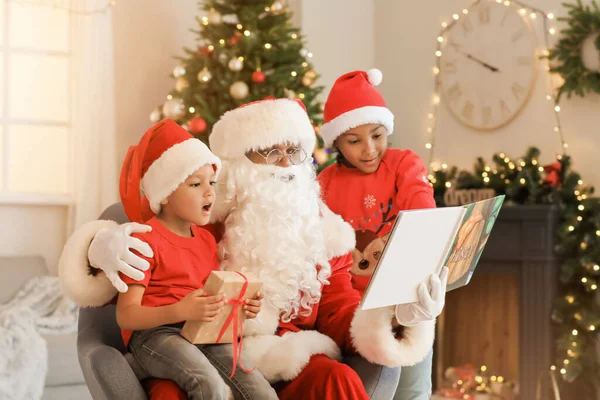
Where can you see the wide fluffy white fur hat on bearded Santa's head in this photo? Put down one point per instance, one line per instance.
(260, 125)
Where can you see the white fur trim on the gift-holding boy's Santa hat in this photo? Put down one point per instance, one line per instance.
(173, 167)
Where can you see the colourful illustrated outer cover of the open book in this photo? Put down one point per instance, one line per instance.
(471, 239)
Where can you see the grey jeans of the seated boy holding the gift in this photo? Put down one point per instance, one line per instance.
(202, 371)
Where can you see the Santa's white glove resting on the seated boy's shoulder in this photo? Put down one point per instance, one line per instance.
(110, 252)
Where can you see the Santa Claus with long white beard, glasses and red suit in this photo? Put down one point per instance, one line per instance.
(274, 225)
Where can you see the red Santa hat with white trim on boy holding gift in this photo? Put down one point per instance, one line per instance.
(163, 159)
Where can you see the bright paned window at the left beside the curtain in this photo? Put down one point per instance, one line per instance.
(35, 138)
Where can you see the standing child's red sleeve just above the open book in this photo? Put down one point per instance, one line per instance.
(413, 187)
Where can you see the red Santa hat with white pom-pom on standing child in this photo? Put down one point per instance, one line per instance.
(354, 101)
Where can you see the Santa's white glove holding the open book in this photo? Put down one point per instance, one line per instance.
(430, 304)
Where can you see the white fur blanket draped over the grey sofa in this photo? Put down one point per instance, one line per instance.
(39, 308)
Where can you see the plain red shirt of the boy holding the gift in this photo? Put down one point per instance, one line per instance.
(179, 266)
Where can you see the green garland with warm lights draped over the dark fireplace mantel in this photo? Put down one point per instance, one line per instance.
(525, 181)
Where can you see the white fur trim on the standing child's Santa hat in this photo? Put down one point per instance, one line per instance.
(353, 118)
